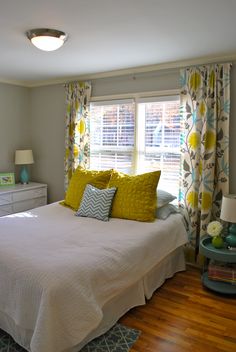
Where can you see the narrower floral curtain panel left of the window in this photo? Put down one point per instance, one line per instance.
(77, 127)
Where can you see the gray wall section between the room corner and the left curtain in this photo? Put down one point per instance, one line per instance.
(47, 110)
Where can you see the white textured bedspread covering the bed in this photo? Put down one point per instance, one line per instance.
(57, 270)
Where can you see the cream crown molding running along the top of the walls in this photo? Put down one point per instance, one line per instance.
(129, 71)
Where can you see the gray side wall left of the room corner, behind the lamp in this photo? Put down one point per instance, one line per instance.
(14, 124)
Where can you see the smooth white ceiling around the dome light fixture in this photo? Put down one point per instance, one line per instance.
(106, 35)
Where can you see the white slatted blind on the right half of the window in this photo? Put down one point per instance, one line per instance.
(160, 148)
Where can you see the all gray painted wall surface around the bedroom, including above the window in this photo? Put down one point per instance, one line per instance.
(38, 115)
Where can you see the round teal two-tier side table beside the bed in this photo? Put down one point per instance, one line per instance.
(224, 255)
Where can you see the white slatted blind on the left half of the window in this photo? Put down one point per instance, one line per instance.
(112, 135)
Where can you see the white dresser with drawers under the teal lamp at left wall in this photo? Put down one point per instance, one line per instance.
(17, 198)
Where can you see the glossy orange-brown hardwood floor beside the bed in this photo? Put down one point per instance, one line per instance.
(183, 316)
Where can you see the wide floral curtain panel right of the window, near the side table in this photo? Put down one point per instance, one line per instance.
(205, 107)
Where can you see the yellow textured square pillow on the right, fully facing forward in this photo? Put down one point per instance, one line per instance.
(135, 198)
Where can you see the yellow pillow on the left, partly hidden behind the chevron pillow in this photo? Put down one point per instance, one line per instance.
(78, 182)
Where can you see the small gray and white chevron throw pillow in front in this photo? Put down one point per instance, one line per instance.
(96, 203)
